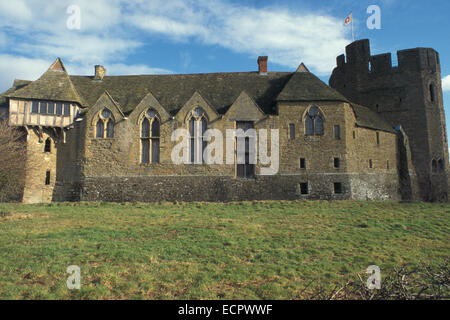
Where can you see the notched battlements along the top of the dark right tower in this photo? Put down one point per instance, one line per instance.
(359, 59)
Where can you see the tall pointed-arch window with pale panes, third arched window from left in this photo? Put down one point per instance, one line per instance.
(197, 127)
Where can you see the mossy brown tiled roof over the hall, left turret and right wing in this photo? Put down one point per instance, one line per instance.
(172, 91)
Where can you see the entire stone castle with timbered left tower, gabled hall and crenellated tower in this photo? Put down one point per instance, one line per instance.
(377, 132)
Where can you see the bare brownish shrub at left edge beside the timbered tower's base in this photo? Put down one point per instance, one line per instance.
(12, 162)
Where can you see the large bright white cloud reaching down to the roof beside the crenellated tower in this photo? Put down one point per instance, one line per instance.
(287, 37)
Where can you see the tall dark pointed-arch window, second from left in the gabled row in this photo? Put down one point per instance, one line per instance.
(150, 137)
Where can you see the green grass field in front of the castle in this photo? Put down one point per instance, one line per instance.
(254, 250)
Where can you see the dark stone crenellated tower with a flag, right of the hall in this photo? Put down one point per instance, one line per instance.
(410, 97)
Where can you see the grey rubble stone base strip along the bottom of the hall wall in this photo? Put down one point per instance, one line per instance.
(225, 188)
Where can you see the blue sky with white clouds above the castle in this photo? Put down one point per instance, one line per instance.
(186, 36)
